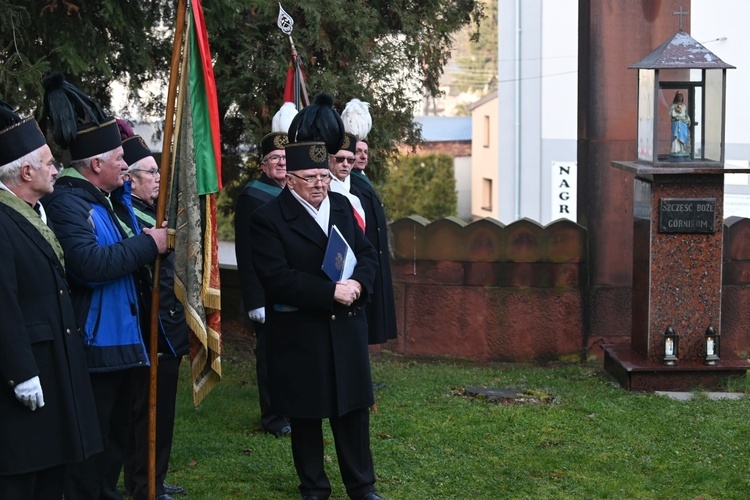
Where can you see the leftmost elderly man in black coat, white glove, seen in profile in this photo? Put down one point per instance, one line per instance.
(47, 413)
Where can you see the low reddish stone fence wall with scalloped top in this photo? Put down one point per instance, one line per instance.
(518, 293)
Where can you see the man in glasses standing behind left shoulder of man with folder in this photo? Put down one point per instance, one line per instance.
(255, 194)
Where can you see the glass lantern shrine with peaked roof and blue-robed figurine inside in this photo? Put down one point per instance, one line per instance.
(681, 104)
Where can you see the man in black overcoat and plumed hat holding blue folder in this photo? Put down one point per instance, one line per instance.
(317, 349)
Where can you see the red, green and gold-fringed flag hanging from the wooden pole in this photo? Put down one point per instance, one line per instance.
(194, 183)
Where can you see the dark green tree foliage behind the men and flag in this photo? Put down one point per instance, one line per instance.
(386, 52)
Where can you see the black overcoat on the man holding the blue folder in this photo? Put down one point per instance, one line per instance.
(318, 358)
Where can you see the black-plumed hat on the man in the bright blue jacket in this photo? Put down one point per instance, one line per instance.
(78, 123)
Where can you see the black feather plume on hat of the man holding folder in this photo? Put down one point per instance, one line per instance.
(319, 122)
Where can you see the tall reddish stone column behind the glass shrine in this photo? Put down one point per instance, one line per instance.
(612, 36)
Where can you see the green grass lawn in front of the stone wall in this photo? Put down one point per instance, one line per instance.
(588, 439)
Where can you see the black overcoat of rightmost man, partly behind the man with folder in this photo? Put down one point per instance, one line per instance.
(381, 308)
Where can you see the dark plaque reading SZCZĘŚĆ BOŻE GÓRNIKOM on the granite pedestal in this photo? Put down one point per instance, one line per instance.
(687, 215)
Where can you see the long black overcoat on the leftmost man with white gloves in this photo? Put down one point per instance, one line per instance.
(38, 336)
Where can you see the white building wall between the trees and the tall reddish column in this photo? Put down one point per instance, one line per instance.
(544, 86)
